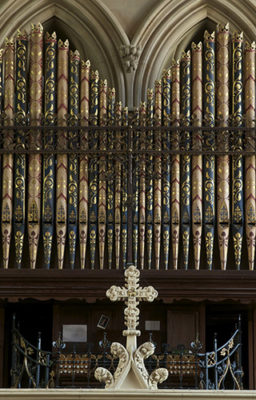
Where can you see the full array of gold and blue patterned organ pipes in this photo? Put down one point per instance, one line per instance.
(85, 184)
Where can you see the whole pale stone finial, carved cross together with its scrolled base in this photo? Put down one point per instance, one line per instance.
(131, 372)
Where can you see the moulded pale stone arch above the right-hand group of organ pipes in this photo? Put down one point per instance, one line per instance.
(173, 23)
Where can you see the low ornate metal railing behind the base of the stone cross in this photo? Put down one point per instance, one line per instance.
(188, 368)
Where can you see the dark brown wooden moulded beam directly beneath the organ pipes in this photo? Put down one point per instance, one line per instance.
(92, 285)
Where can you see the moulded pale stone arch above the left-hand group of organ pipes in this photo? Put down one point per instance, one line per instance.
(94, 31)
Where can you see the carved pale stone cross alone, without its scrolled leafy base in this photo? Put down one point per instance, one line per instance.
(132, 294)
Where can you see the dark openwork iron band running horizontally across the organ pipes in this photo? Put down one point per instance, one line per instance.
(42, 137)
